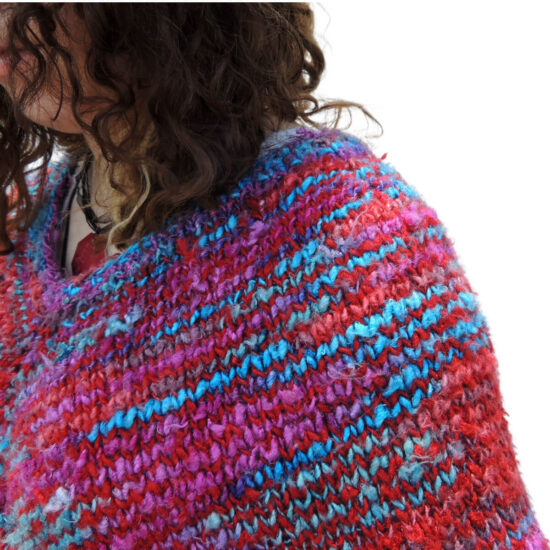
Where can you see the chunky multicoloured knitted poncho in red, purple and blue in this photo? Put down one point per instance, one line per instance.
(304, 366)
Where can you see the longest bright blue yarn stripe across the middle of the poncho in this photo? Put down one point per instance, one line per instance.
(278, 350)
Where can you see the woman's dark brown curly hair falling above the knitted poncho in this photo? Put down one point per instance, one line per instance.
(195, 87)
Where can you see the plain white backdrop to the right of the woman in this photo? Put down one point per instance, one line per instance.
(462, 92)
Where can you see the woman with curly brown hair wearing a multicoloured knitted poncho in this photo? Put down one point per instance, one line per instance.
(223, 325)
